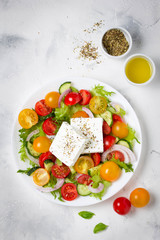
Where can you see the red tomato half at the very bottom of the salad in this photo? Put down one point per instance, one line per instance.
(69, 191)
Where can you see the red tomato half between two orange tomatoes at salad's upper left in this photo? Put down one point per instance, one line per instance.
(42, 109)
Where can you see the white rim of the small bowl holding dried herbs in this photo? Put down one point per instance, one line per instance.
(128, 38)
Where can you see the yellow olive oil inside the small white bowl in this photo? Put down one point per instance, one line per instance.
(138, 70)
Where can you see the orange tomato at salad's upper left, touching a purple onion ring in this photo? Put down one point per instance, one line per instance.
(51, 99)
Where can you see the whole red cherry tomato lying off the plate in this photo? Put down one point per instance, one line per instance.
(121, 205)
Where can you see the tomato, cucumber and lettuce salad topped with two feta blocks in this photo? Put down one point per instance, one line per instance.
(77, 142)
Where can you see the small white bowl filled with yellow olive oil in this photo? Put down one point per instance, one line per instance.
(139, 69)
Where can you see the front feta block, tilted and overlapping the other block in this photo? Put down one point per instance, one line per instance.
(67, 144)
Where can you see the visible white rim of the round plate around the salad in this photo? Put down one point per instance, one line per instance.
(131, 118)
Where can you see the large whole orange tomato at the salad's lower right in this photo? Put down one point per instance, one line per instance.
(110, 171)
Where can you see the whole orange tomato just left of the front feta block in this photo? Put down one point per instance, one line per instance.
(41, 144)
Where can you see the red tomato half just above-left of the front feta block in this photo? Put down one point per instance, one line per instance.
(49, 126)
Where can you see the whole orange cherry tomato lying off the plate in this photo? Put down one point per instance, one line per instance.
(139, 197)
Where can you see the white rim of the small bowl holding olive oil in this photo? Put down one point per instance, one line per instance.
(151, 63)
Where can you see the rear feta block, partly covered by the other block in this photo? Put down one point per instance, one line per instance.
(91, 129)
